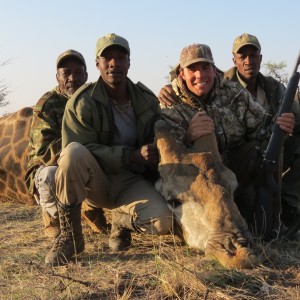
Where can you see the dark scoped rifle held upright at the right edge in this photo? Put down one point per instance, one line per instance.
(268, 188)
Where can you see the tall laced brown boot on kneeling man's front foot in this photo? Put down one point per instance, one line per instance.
(70, 242)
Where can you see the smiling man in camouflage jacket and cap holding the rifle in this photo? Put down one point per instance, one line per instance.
(205, 103)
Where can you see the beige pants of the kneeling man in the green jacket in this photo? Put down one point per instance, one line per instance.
(79, 177)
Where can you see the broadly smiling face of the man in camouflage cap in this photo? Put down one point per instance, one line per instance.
(199, 77)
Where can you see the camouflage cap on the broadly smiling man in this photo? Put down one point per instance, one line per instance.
(195, 53)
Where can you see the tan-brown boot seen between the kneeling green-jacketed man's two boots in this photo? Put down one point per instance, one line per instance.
(94, 217)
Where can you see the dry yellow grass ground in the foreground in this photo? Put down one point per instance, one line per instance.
(154, 268)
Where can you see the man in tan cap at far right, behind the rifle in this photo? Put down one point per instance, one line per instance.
(269, 92)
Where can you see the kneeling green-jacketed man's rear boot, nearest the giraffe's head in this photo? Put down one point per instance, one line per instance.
(121, 227)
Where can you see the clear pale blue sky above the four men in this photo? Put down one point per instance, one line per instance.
(34, 32)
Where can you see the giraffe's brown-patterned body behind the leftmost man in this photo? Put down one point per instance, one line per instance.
(14, 139)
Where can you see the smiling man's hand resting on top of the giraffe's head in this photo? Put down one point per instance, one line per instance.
(200, 125)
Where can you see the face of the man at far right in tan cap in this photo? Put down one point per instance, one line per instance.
(247, 61)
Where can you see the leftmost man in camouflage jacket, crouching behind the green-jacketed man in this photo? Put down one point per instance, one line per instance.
(45, 143)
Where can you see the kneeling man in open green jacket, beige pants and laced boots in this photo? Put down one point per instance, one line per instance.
(109, 156)
